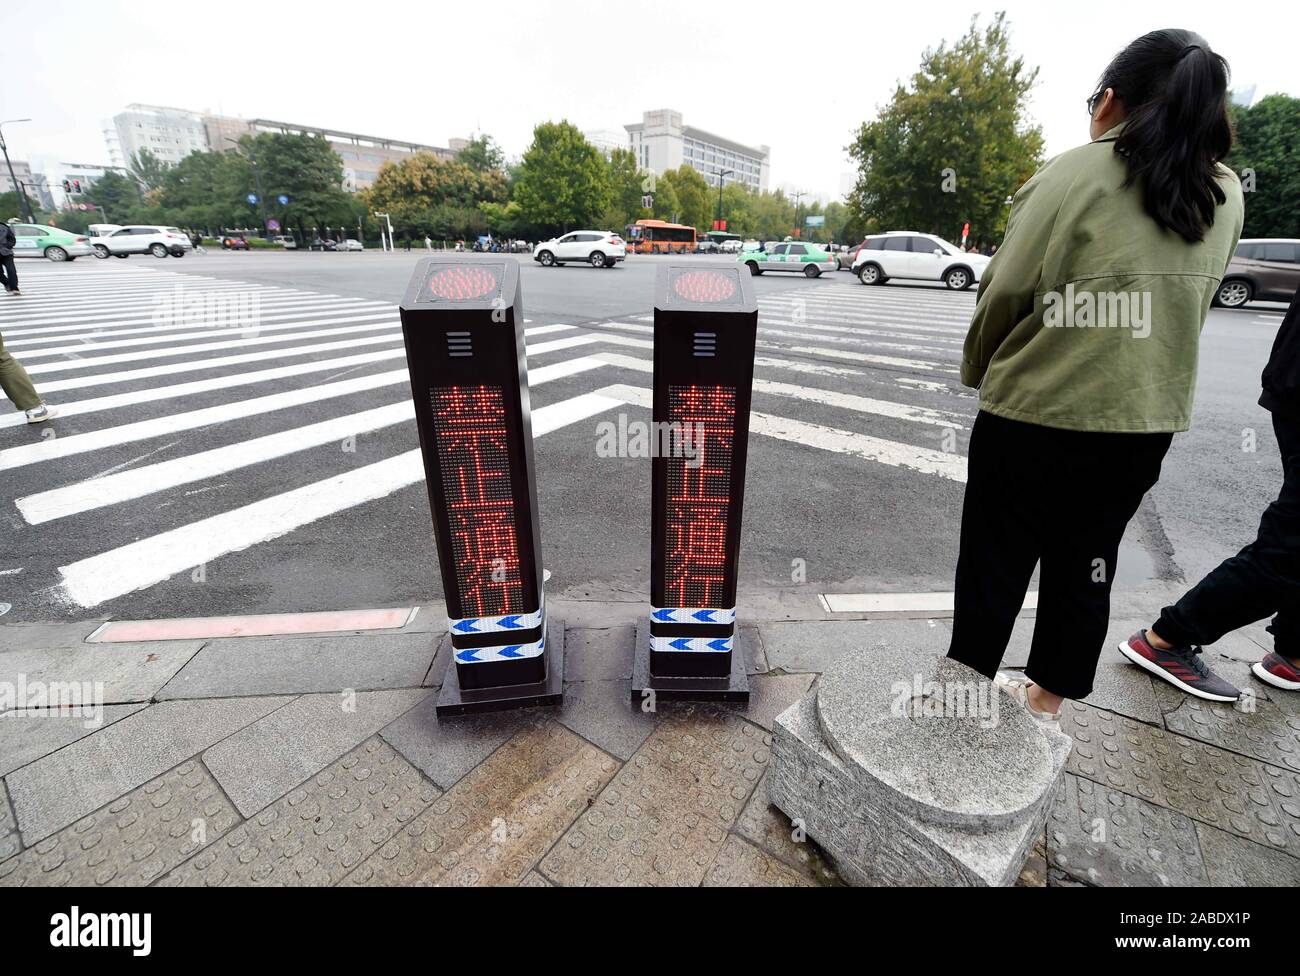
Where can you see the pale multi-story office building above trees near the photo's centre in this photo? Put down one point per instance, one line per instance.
(661, 142)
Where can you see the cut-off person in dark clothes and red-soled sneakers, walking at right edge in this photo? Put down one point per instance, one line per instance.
(1263, 580)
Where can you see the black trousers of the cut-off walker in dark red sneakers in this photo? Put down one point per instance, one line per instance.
(1262, 580)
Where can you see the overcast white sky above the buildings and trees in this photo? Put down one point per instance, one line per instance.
(755, 71)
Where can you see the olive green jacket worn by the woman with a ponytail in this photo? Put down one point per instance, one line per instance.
(1090, 315)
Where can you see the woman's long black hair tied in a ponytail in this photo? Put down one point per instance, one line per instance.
(1175, 93)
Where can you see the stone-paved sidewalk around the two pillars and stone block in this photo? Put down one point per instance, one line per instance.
(318, 760)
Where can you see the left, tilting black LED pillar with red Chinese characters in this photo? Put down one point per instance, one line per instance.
(463, 327)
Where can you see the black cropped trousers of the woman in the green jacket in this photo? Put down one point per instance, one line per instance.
(1060, 500)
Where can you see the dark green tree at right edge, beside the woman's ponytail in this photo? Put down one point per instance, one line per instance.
(1266, 154)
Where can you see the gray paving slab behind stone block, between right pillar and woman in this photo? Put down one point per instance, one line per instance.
(812, 645)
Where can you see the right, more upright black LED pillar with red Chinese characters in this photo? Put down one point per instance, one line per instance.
(705, 328)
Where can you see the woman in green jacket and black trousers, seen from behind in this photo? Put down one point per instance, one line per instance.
(1085, 348)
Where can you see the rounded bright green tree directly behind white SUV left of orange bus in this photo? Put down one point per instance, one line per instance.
(562, 181)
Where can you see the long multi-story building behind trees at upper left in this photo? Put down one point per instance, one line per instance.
(172, 135)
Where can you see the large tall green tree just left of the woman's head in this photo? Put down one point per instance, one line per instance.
(955, 144)
